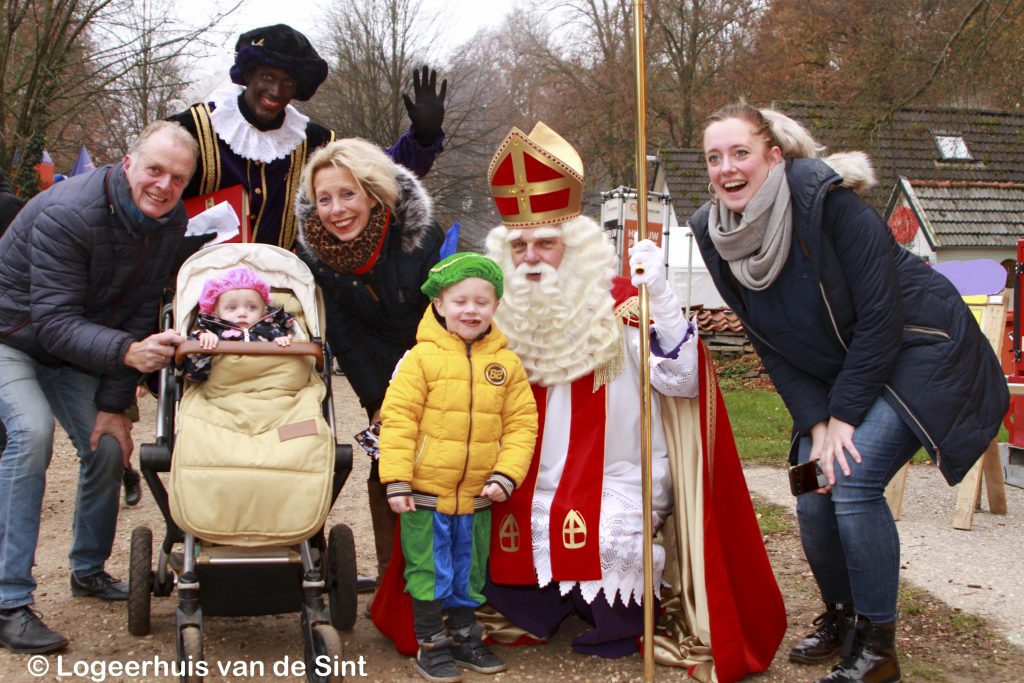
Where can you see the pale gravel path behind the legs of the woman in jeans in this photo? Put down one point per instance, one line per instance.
(980, 572)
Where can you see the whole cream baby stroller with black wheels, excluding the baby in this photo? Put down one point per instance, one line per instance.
(254, 471)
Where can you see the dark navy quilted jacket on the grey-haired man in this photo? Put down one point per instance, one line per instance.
(79, 283)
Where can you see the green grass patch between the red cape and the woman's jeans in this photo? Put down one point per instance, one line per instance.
(761, 425)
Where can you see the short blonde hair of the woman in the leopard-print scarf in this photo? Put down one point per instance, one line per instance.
(373, 170)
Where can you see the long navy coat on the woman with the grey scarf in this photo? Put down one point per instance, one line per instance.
(885, 324)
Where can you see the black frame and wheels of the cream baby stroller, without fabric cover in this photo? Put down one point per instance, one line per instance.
(303, 573)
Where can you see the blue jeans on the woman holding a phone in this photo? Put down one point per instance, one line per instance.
(849, 535)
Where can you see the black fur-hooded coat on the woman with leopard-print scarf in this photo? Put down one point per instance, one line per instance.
(372, 319)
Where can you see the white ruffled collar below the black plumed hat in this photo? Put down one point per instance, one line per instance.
(250, 143)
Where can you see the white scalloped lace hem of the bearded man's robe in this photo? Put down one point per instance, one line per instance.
(622, 550)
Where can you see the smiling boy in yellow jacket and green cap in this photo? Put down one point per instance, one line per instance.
(459, 425)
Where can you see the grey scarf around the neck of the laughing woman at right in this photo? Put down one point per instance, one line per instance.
(756, 243)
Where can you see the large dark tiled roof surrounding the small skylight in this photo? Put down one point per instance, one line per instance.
(905, 146)
